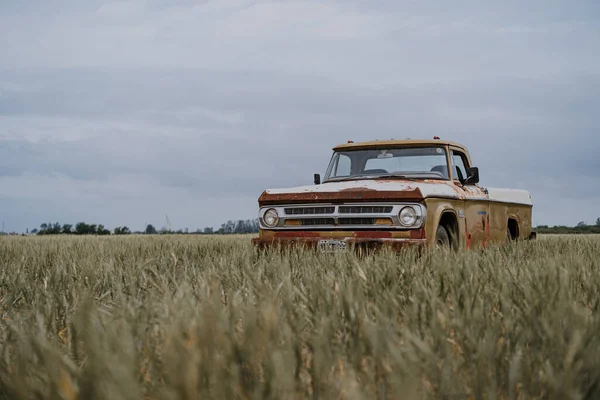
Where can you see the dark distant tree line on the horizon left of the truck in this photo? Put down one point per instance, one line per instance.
(82, 228)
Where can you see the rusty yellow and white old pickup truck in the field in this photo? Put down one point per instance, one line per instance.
(395, 193)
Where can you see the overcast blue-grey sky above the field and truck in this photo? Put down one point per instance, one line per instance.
(123, 112)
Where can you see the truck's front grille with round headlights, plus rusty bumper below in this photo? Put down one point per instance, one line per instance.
(338, 226)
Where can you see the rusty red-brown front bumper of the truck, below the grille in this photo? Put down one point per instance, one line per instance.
(362, 240)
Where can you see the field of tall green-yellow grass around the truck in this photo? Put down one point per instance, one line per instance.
(187, 317)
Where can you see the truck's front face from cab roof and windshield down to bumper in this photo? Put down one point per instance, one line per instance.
(371, 196)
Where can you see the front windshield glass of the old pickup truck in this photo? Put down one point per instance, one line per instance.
(410, 162)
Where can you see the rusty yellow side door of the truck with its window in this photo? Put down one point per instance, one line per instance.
(477, 207)
